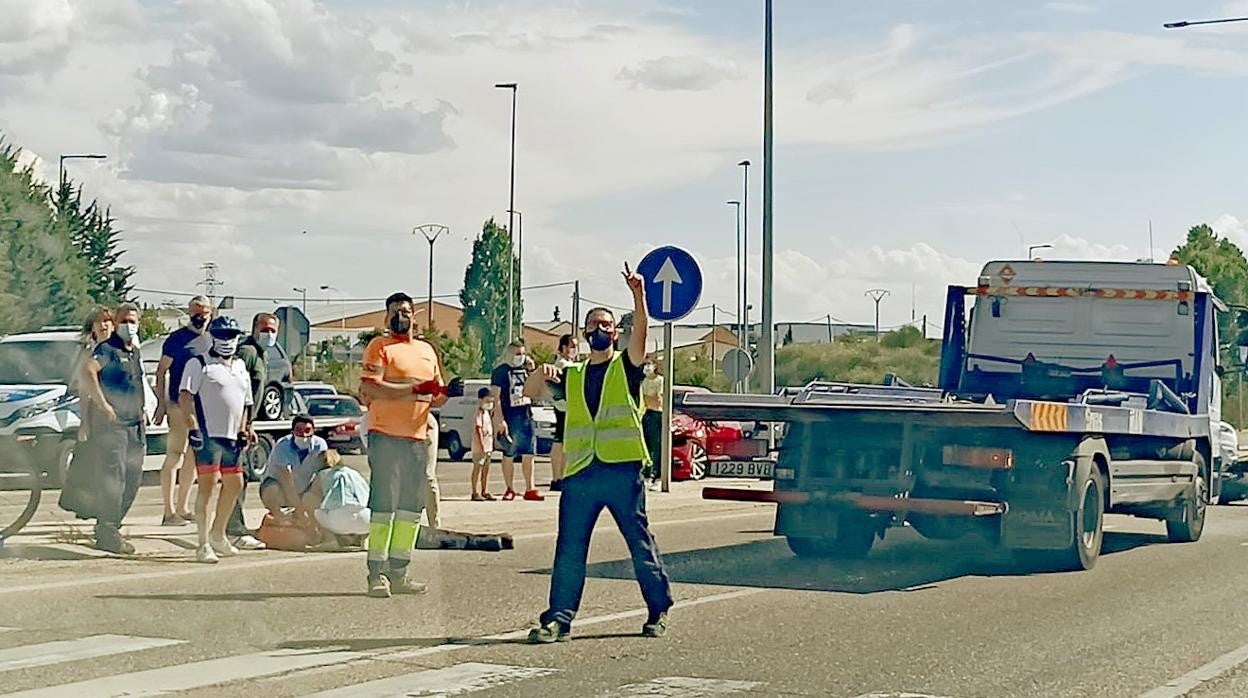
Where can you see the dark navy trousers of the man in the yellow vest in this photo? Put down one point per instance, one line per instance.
(620, 490)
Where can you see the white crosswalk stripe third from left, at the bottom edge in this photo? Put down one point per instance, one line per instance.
(459, 680)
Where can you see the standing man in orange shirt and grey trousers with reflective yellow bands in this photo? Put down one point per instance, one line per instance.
(401, 383)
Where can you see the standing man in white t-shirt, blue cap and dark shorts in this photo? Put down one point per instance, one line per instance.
(215, 395)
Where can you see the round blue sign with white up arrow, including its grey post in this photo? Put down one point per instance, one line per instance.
(673, 285)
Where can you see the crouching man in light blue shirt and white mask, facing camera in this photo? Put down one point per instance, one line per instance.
(291, 471)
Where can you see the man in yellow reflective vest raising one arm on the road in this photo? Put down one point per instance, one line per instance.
(605, 454)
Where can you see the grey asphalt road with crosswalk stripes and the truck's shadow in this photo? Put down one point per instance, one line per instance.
(928, 619)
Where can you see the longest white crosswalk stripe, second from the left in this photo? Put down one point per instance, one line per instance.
(197, 675)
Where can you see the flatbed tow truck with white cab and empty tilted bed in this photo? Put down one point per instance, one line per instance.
(1066, 391)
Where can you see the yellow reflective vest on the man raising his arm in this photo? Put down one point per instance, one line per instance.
(615, 435)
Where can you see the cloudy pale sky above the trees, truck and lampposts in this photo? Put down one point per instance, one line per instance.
(915, 139)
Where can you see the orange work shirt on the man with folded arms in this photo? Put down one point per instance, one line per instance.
(401, 361)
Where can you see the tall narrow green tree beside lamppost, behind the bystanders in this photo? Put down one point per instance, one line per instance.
(485, 293)
